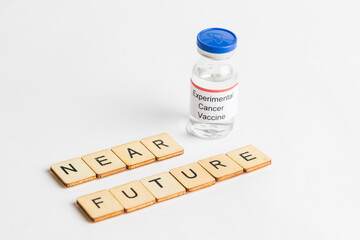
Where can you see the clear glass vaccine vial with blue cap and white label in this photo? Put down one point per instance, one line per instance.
(213, 85)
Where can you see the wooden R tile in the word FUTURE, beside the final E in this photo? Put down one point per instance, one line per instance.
(221, 167)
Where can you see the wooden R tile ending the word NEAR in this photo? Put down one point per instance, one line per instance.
(163, 146)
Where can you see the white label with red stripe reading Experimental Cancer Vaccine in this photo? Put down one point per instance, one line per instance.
(213, 106)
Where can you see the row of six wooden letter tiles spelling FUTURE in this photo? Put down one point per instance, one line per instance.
(164, 186)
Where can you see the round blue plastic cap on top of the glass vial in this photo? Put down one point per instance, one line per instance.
(216, 40)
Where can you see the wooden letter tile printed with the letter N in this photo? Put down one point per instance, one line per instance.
(73, 172)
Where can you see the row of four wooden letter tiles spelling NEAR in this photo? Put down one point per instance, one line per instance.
(117, 159)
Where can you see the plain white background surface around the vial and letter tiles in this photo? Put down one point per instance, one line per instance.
(80, 76)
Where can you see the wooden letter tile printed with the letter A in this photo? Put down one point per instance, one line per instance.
(134, 154)
